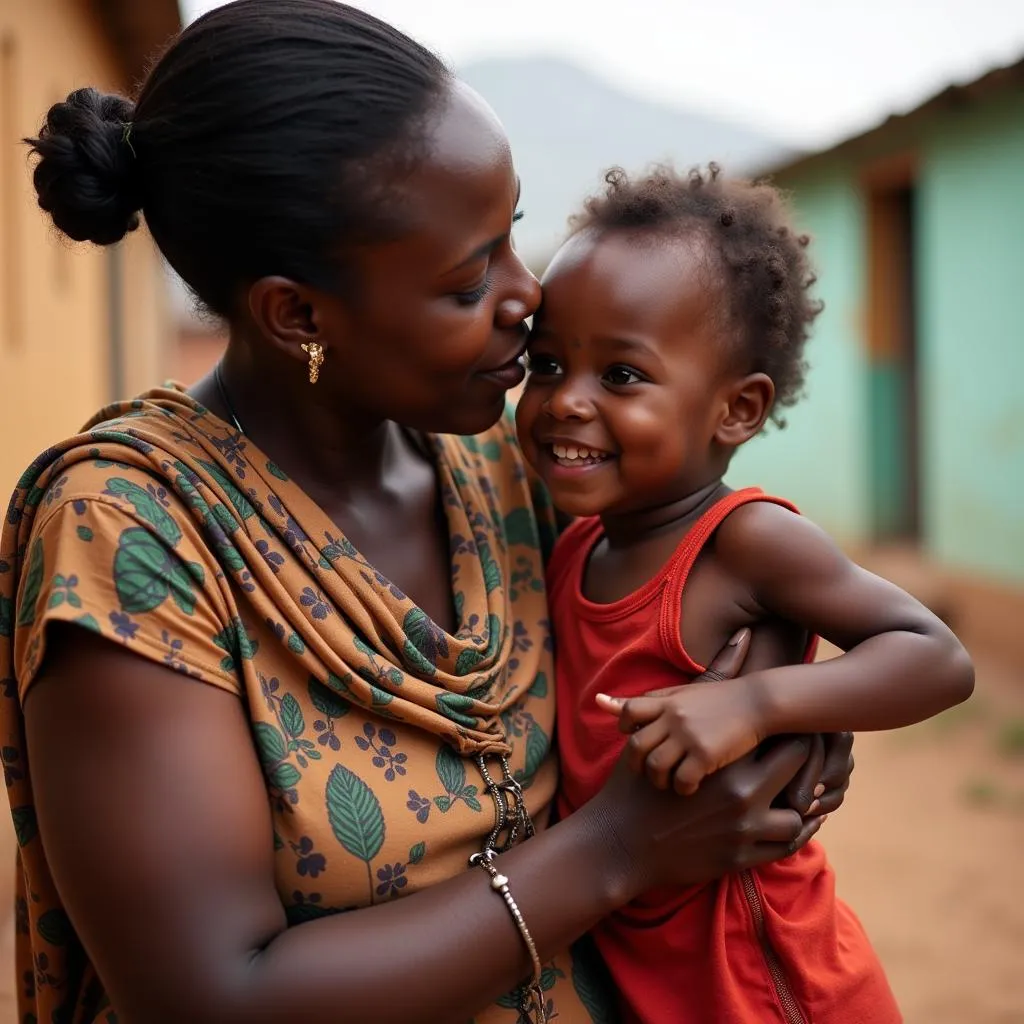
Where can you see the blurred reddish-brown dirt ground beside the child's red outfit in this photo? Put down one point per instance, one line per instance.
(929, 849)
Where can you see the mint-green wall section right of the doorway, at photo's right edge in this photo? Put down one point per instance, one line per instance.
(971, 319)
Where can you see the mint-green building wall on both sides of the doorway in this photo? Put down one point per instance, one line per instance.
(969, 252)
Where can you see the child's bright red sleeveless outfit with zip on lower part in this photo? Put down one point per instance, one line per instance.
(767, 948)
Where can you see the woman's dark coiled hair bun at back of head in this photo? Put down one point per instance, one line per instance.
(88, 176)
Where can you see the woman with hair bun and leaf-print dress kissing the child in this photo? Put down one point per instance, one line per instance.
(224, 716)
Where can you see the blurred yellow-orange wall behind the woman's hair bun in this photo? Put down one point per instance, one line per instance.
(55, 296)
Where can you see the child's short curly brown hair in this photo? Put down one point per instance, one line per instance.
(748, 224)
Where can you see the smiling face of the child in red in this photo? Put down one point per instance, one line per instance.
(630, 371)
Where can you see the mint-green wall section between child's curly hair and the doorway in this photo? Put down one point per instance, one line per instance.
(820, 461)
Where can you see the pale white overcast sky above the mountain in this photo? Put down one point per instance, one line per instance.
(808, 71)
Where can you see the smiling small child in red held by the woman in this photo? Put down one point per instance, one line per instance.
(672, 329)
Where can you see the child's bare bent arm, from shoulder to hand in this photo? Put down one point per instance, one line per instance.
(903, 664)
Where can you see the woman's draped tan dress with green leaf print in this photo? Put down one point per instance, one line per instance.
(164, 530)
